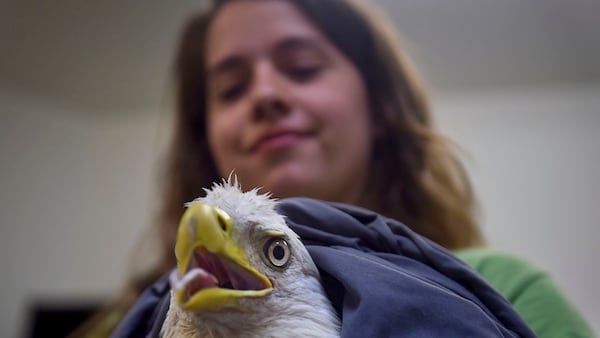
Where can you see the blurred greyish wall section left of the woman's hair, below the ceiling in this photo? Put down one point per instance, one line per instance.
(75, 192)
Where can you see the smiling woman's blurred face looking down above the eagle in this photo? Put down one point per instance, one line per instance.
(286, 110)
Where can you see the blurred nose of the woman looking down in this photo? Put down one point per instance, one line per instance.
(268, 94)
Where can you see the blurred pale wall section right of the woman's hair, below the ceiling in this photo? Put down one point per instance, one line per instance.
(535, 164)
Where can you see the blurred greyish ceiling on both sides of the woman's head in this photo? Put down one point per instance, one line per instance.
(115, 55)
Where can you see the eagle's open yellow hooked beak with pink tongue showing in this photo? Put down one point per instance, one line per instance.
(213, 272)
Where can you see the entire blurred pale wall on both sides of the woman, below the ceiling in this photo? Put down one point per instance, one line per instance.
(76, 190)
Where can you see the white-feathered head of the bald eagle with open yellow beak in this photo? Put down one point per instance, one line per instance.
(242, 272)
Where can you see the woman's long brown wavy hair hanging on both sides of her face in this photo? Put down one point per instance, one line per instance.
(415, 174)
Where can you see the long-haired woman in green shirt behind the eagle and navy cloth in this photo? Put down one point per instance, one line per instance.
(314, 98)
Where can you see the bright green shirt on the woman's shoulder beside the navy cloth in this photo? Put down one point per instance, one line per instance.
(530, 290)
